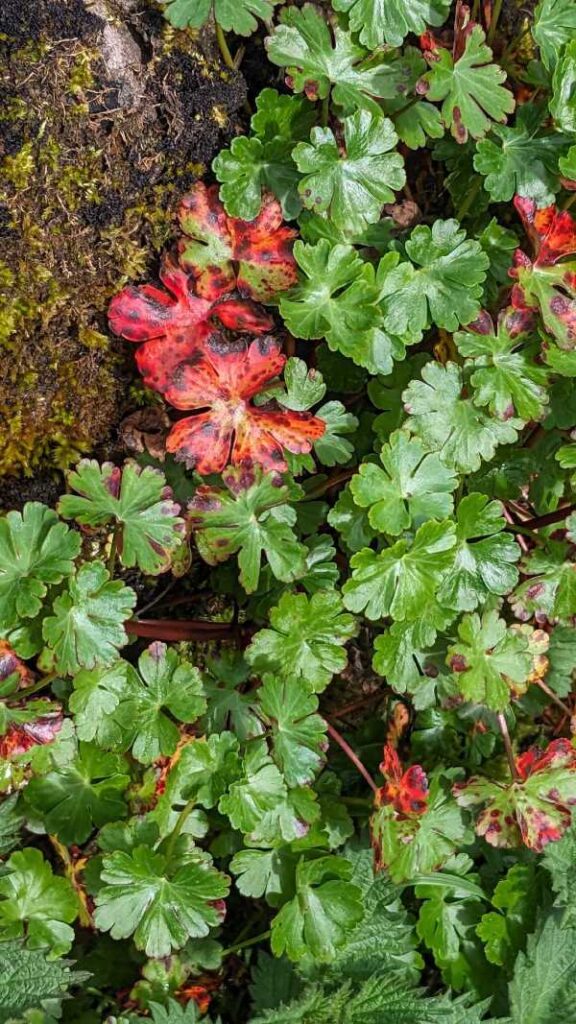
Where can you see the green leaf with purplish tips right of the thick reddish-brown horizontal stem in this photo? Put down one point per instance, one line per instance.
(306, 639)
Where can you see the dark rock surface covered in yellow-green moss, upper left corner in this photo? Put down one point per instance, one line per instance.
(107, 117)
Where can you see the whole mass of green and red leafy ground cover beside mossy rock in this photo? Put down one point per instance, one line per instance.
(286, 697)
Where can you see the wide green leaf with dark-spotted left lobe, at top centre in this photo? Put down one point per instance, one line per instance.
(318, 63)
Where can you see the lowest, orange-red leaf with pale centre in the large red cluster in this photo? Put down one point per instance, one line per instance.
(218, 382)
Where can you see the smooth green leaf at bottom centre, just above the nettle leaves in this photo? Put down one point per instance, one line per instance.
(325, 907)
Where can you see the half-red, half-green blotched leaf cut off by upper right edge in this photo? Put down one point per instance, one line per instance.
(547, 282)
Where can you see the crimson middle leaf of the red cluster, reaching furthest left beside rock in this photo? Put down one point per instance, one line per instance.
(174, 323)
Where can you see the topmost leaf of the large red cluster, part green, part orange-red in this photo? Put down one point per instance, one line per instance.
(224, 252)
